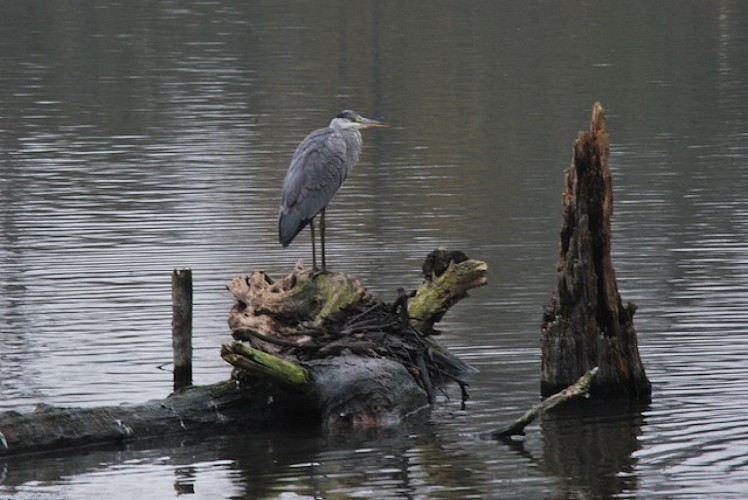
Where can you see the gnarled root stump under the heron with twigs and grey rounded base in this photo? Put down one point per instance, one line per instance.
(302, 321)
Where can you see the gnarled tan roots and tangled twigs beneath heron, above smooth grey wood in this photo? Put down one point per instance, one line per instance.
(309, 316)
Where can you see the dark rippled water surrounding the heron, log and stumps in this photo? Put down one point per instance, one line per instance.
(136, 137)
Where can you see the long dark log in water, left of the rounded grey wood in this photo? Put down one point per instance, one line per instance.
(221, 406)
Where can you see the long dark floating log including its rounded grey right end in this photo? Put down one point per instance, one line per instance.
(385, 393)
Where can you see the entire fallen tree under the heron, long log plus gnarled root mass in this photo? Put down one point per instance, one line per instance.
(320, 351)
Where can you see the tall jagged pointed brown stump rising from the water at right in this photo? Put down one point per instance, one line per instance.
(586, 324)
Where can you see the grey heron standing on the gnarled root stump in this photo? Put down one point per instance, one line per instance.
(317, 170)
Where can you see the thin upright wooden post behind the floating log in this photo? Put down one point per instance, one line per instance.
(181, 326)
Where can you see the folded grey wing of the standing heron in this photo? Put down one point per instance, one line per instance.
(317, 170)
